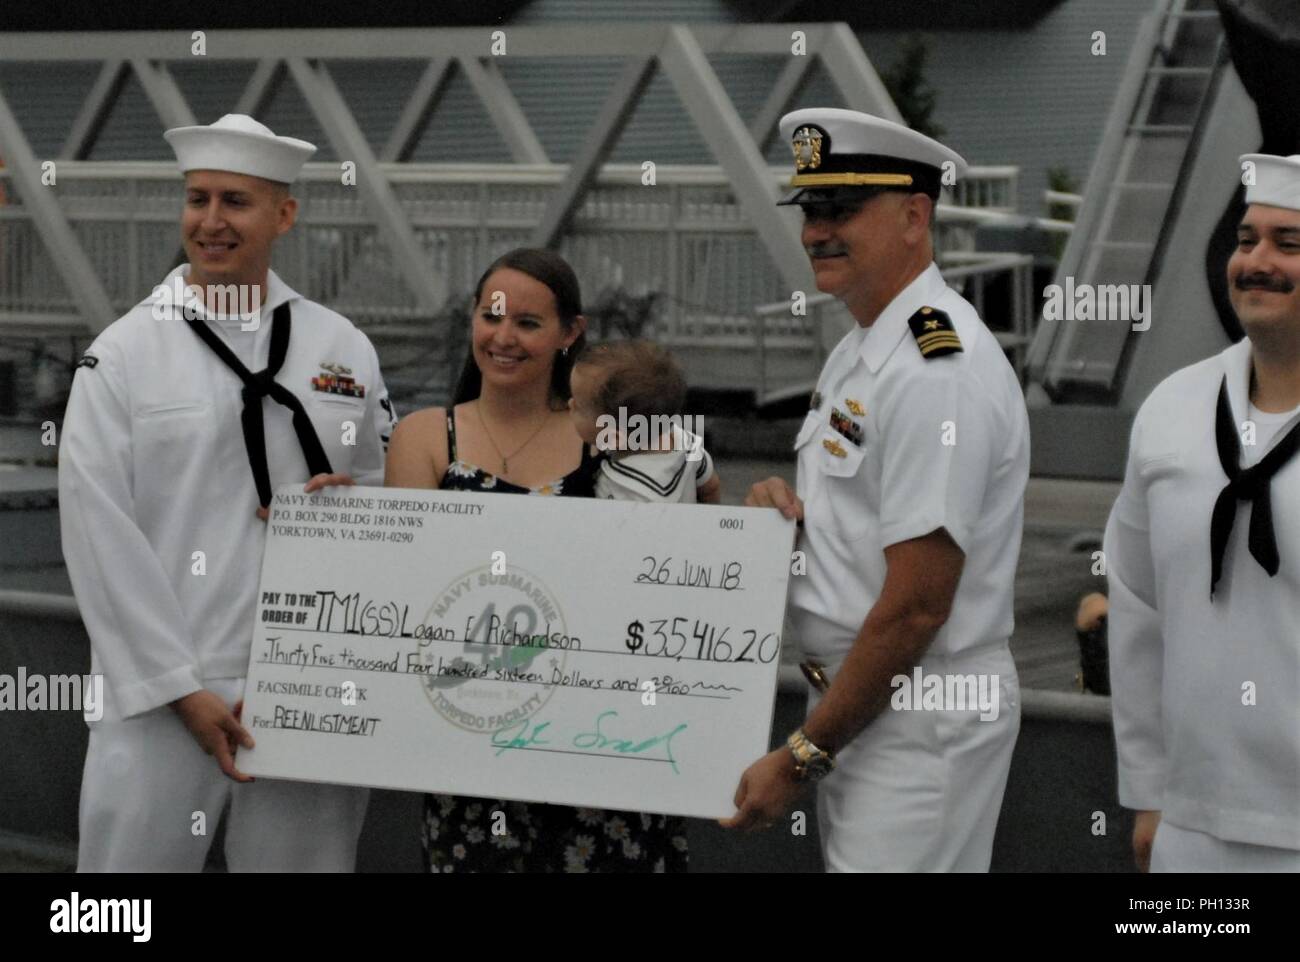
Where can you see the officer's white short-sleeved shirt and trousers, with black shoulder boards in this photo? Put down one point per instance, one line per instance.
(916, 791)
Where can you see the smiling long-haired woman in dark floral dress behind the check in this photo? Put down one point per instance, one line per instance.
(509, 431)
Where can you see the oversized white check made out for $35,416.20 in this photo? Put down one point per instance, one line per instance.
(567, 651)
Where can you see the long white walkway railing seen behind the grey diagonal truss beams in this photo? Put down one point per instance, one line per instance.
(686, 239)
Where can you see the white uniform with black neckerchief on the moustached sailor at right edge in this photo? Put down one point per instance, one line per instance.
(1206, 694)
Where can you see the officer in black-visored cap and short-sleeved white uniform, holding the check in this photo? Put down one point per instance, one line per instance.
(912, 473)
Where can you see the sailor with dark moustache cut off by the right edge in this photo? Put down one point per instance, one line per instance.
(1203, 557)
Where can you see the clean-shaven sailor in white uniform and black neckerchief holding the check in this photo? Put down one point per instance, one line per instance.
(181, 421)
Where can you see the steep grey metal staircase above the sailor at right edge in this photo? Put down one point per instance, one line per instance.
(1133, 192)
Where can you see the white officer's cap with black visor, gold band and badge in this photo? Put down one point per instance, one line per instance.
(837, 150)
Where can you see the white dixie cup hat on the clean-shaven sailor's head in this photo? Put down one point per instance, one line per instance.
(242, 146)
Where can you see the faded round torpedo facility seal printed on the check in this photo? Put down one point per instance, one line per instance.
(512, 645)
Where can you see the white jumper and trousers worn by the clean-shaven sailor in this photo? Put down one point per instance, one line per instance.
(153, 470)
